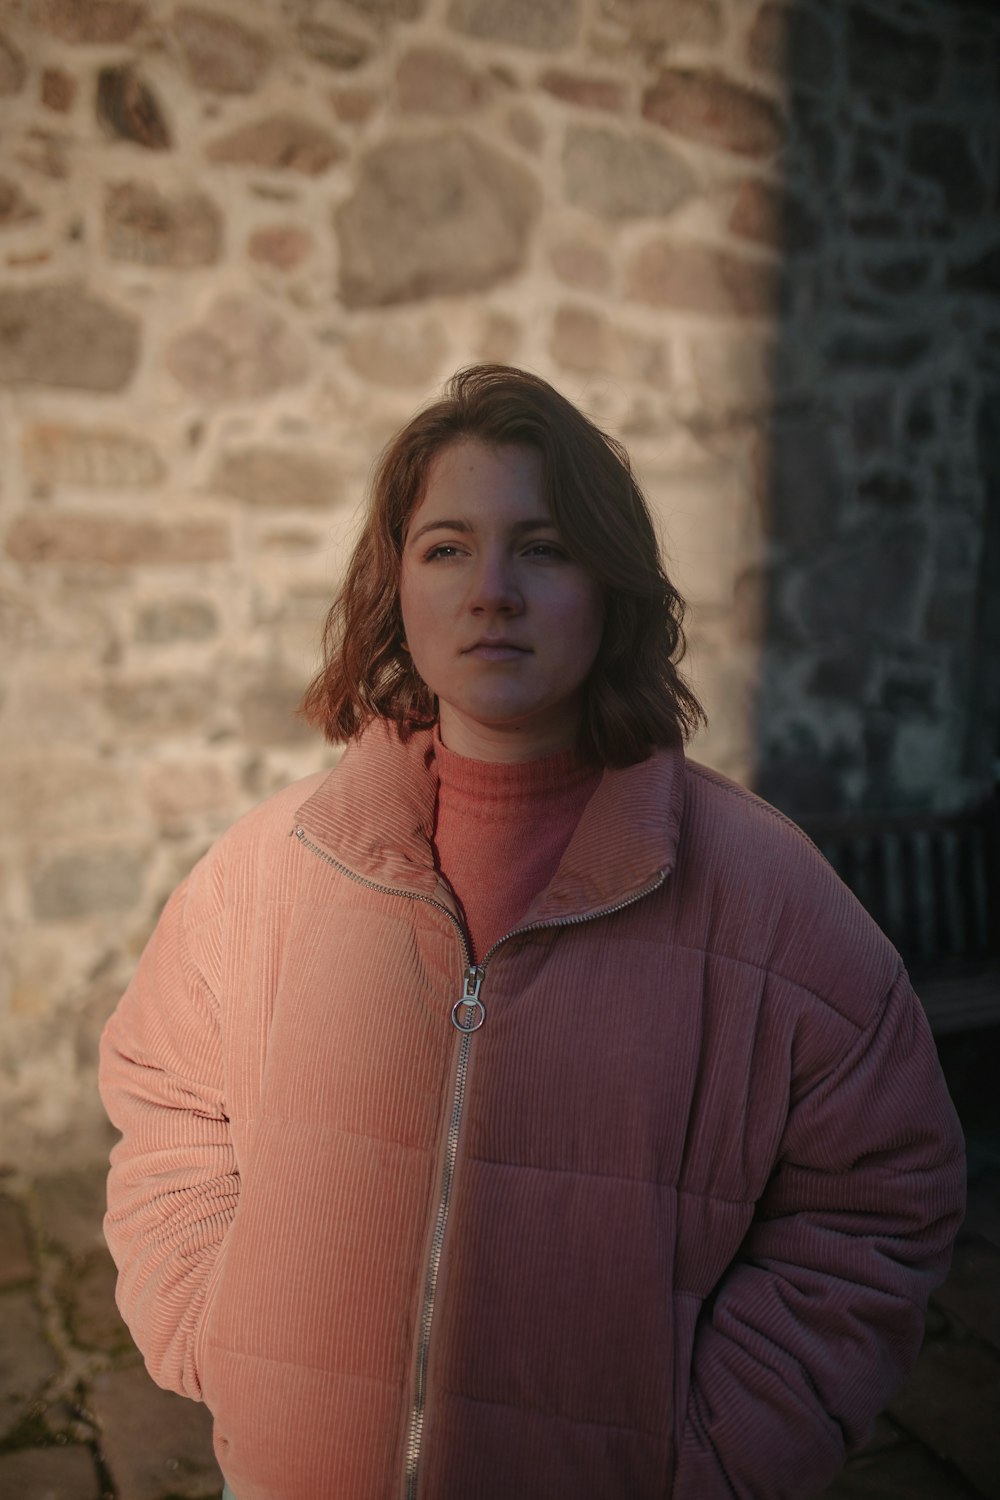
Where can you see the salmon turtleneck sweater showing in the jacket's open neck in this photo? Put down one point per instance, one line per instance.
(501, 830)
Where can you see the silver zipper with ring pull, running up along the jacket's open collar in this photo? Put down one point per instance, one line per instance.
(467, 1016)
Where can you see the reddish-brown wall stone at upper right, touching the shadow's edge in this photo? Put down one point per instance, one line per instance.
(717, 112)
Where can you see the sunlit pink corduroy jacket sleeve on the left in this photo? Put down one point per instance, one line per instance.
(175, 1184)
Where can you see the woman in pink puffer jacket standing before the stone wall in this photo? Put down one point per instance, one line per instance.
(522, 1111)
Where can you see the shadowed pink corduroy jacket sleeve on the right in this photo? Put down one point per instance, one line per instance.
(818, 1322)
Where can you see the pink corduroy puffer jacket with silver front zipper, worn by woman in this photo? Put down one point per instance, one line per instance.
(651, 1213)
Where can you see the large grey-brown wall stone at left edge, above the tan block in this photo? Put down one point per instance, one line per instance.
(62, 335)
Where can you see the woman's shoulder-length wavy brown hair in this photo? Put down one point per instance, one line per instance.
(635, 695)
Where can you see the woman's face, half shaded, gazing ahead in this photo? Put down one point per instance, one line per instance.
(501, 623)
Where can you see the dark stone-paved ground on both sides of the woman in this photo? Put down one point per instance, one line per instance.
(80, 1420)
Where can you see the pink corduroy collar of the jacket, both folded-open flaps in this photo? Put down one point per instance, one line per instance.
(374, 815)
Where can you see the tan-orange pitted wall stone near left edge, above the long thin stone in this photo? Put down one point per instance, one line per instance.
(103, 458)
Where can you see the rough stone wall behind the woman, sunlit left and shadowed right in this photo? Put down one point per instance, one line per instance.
(241, 242)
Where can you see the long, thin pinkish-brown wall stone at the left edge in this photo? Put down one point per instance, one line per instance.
(58, 539)
